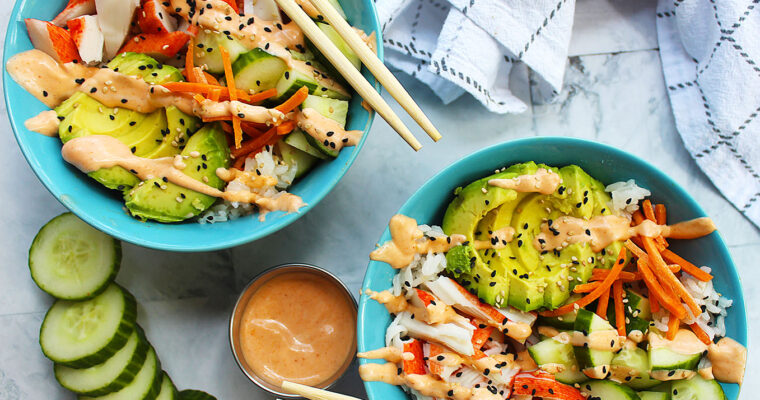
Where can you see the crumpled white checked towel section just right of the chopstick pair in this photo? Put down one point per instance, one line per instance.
(471, 46)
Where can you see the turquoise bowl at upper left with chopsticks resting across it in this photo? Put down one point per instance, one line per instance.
(104, 209)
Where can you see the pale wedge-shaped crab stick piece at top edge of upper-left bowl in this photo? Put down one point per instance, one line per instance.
(115, 19)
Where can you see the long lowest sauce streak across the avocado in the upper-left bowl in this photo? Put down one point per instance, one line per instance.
(91, 153)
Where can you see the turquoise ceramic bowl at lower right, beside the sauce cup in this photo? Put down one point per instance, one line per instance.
(605, 163)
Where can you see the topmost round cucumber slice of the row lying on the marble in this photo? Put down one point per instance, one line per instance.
(71, 260)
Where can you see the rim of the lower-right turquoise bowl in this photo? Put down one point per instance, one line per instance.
(613, 152)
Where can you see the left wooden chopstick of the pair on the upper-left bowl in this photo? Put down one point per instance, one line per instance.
(347, 70)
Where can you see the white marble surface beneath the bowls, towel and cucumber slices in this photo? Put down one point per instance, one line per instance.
(614, 94)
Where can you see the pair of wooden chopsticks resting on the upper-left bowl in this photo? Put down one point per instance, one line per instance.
(353, 76)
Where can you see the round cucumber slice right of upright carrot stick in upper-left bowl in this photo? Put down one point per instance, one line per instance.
(257, 70)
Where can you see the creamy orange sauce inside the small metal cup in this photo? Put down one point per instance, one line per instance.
(298, 327)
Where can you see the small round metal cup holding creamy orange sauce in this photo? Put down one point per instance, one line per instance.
(260, 292)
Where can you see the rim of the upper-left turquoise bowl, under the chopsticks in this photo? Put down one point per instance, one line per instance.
(11, 32)
